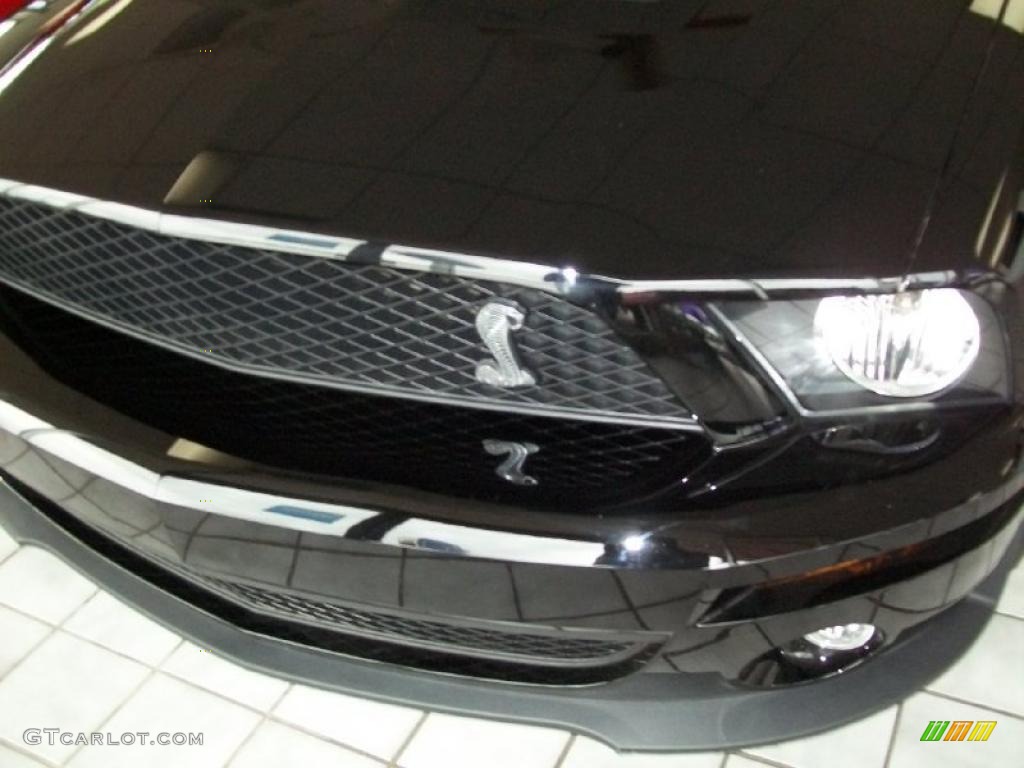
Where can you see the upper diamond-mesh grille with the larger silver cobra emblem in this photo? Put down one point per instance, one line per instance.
(362, 327)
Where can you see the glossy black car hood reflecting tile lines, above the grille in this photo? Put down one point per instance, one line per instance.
(627, 139)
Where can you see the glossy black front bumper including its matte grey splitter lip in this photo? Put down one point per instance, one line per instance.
(655, 656)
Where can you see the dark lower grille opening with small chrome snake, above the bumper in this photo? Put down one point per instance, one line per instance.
(581, 466)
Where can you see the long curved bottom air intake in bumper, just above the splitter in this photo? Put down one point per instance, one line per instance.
(500, 652)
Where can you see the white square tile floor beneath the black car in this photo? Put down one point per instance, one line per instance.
(73, 657)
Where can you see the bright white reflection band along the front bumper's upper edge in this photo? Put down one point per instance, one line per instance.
(322, 519)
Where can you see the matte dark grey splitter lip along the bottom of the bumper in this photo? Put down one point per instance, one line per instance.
(644, 713)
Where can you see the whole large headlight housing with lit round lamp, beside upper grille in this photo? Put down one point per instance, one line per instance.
(843, 353)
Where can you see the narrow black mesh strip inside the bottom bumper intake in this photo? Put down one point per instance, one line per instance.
(452, 637)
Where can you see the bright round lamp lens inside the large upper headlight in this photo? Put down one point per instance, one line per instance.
(902, 346)
